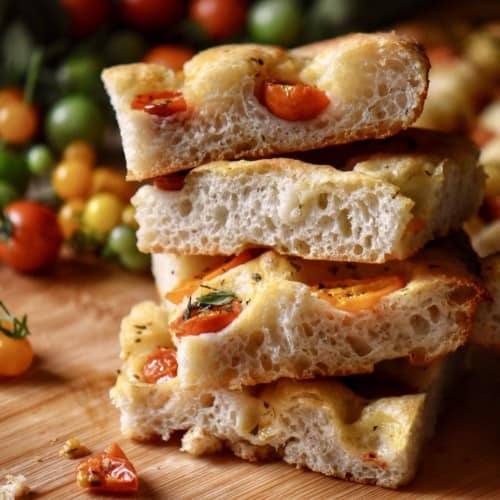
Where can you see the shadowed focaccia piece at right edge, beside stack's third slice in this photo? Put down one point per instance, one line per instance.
(486, 330)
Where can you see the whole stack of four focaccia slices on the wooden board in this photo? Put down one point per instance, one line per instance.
(284, 279)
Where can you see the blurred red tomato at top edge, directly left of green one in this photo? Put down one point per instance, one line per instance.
(219, 18)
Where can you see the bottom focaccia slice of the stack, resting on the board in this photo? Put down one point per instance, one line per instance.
(323, 425)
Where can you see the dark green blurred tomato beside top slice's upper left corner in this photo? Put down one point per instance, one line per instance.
(80, 74)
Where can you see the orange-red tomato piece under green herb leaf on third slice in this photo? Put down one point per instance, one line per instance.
(198, 320)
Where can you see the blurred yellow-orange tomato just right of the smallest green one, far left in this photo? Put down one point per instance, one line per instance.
(72, 179)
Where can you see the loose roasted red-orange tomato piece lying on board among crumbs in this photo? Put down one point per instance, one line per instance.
(108, 472)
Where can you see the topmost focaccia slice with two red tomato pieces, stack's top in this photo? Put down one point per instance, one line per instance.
(250, 101)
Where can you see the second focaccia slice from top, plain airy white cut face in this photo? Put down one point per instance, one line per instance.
(385, 201)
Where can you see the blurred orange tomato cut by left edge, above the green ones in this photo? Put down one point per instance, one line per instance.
(18, 121)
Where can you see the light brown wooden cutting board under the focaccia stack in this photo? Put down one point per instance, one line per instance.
(74, 314)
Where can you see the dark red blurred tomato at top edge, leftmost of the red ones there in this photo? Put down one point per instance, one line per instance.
(86, 16)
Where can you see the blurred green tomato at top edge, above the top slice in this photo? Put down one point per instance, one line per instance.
(276, 22)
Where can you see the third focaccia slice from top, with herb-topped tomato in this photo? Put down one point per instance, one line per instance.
(257, 319)
